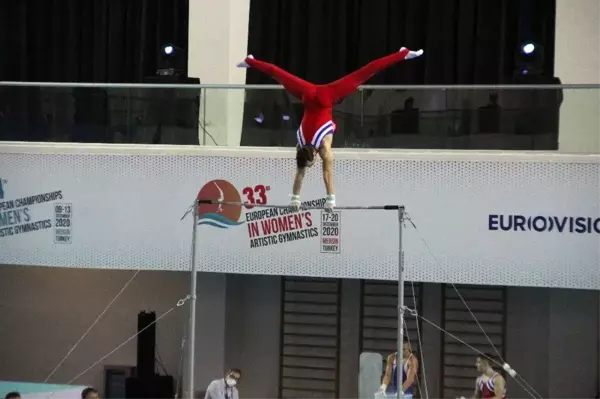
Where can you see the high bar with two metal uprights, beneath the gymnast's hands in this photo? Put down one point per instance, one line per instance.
(194, 275)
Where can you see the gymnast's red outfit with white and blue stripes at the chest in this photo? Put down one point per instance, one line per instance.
(318, 100)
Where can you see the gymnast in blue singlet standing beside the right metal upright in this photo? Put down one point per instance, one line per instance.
(409, 372)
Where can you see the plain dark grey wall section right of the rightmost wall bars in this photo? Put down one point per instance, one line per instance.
(547, 330)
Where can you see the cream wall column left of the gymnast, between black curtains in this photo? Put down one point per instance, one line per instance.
(218, 39)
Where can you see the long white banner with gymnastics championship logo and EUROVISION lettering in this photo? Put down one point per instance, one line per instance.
(481, 218)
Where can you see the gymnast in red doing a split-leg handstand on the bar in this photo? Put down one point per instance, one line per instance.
(315, 134)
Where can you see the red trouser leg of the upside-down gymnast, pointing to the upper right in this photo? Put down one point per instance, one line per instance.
(349, 83)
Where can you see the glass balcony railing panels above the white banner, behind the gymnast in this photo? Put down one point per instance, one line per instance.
(415, 117)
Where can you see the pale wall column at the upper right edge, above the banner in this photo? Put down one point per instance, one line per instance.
(577, 60)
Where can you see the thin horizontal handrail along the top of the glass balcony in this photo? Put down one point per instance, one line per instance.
(279, 87)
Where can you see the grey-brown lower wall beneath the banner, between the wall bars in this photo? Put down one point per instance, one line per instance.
(552, 337)
